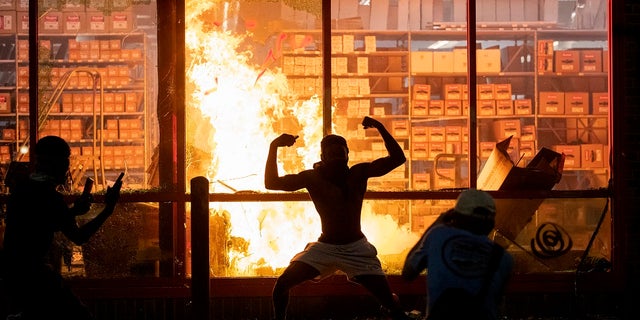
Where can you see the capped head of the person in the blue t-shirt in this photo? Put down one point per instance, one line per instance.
(475, 210)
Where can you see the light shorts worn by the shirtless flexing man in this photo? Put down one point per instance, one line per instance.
(354, 259)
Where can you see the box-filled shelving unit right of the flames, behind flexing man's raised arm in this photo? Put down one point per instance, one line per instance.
(384, 74)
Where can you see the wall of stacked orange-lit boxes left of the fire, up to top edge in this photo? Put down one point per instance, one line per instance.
(93, 48)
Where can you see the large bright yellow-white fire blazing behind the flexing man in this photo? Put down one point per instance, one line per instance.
(245, 105)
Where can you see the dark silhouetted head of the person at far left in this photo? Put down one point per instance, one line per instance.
(52, 158)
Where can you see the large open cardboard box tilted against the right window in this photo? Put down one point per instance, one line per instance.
(543, 172)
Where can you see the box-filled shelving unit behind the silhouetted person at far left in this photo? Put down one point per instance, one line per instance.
(101, 109)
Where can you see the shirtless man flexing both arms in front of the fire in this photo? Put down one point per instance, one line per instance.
(337, 191)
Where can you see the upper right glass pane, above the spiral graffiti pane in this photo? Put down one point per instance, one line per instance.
(548, 91)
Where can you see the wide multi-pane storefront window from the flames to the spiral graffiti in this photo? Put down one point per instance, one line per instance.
(540, 112)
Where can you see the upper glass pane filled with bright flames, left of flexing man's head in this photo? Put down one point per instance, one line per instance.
(254, 71)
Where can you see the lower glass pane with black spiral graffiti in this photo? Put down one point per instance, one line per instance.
(561, 235)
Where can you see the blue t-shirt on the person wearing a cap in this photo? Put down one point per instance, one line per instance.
(456, 258)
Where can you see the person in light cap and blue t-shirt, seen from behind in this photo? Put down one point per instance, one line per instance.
(459, 256)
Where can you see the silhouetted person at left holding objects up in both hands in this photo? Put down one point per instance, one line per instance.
(36, 211)
